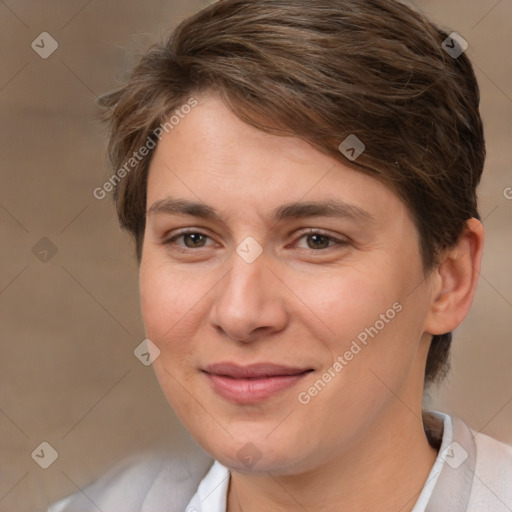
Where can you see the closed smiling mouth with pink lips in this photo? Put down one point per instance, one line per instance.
(254, 383)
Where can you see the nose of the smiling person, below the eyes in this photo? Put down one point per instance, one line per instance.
(250, 301)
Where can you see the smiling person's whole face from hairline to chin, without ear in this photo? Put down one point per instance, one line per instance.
(285, 292)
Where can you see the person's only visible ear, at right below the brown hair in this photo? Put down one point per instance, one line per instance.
(455, 281)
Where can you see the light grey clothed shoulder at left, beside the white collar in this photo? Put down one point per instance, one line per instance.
(145, 482)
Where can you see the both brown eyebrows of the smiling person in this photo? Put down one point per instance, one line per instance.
(298, 210)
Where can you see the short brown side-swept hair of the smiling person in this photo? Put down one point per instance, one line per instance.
(322, 70)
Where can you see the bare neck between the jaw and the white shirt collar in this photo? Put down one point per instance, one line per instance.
(395, 455)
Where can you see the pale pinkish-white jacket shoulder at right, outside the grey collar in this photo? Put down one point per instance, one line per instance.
(492, 482)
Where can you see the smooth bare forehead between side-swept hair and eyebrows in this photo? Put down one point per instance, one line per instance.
(214, 158)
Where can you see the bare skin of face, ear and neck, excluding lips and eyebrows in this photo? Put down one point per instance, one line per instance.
(296, 305)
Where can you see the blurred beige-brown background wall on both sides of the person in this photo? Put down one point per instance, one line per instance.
(69, 325)
